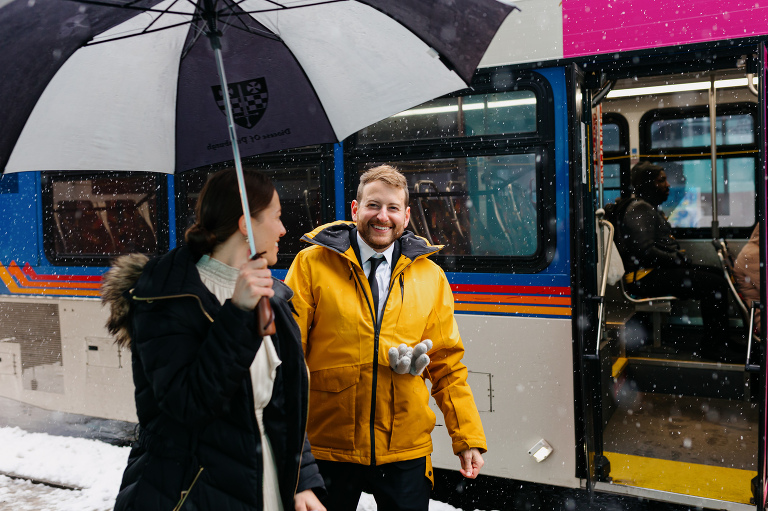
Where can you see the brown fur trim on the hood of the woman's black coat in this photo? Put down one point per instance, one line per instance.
(120, 279)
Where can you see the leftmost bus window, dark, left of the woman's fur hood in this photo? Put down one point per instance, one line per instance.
(89, 219)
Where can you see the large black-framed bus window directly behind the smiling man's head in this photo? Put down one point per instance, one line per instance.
(476, 166)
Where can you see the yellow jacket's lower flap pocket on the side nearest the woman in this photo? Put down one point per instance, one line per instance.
(332, 396)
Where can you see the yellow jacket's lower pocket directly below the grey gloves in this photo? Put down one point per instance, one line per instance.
(412, 419)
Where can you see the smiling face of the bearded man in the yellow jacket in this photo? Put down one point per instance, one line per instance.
(381, 214)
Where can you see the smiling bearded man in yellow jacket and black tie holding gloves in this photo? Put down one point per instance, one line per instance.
(371, 338)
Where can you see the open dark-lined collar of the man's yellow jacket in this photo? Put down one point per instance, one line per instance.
(341, 237)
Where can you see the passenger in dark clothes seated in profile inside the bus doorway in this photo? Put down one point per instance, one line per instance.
(656, 266)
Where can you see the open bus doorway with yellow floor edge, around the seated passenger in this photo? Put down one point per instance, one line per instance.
(662, 421)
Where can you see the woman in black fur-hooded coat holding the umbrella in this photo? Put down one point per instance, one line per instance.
(222, 409)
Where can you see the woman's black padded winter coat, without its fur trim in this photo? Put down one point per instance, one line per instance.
(194, 399)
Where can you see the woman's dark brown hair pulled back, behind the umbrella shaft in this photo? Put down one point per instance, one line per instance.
(219, 208)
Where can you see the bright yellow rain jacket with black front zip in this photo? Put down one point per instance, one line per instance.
(360, 410)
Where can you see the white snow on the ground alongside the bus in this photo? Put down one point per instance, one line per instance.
(94, 466)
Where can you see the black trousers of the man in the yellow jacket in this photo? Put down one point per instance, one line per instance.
(398, 486)
